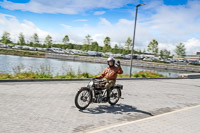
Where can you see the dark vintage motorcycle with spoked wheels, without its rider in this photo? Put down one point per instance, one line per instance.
(95, 92)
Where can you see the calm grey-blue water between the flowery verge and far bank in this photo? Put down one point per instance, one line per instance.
(8, 64)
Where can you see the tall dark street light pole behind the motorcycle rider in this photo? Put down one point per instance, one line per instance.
(134, 36)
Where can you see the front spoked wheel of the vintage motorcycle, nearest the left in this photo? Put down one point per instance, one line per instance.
(83, 99)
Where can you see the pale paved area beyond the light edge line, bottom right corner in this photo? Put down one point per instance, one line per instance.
(181, 121)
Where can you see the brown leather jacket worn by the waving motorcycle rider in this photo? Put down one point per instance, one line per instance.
(110, 73)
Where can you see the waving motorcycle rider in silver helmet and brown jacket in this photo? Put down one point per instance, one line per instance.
(110, 73)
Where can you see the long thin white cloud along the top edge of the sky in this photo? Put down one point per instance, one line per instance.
(63, 6)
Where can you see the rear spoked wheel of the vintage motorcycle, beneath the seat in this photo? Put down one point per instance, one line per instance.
(114, 96)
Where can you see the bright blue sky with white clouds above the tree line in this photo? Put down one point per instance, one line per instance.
(168, 21)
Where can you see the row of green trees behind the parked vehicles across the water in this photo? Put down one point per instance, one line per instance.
(90, 45)
